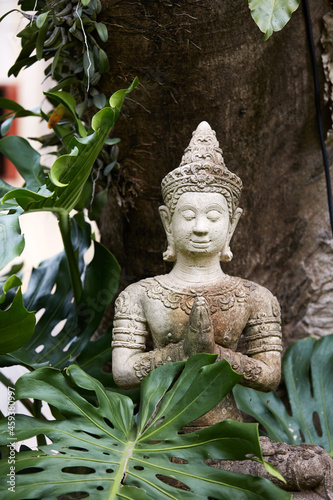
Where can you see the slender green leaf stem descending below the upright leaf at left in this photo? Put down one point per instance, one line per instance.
(65, 230)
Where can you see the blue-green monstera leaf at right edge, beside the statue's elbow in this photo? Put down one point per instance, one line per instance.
(308, 373)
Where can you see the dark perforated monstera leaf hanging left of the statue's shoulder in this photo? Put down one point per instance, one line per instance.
(62, 329)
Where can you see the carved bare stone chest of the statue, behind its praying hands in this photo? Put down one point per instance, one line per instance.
(167, 311)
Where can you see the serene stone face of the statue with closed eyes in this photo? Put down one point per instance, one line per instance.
(200, 223)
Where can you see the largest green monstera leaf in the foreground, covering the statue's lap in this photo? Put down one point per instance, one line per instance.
(101, 449)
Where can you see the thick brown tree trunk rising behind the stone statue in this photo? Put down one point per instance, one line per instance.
(206, 60)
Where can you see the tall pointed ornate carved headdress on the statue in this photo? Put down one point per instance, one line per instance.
(202, 169)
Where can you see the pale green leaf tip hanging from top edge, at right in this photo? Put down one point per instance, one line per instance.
(272, 15)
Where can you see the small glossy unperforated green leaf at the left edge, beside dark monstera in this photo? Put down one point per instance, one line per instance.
(16, 323)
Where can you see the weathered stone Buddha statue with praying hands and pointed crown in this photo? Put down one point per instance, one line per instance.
(197, 307)
